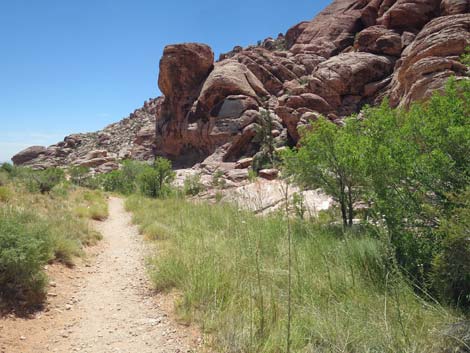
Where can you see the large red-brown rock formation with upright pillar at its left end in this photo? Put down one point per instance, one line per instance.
(355, 52)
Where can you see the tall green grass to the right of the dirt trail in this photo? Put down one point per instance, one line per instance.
(231, 269)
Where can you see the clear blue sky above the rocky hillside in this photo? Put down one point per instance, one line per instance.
(77, 65)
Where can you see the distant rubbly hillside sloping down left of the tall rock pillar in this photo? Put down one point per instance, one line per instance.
(132, 137)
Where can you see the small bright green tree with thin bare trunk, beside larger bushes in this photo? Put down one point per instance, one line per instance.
(330, 158)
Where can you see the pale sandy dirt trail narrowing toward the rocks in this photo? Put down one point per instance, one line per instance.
(112, 310)
